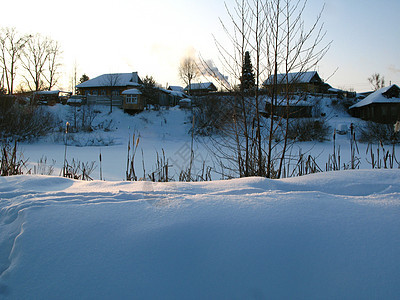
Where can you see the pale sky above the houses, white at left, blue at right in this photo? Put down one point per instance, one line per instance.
(151, 36)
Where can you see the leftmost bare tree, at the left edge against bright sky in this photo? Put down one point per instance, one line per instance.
(11, 46)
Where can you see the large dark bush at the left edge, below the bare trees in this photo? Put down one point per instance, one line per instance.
(23, 122)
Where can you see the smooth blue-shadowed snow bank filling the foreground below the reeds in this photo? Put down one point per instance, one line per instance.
(332, 235)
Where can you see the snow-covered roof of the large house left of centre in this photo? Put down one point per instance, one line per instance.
(115, 79)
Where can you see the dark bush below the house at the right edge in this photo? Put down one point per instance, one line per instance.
(375, 132)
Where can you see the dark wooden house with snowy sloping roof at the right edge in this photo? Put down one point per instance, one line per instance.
(382, 106)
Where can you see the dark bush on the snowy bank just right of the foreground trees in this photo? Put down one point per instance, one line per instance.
(303, 130)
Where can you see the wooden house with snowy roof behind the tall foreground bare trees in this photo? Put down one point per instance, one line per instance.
(300, 82)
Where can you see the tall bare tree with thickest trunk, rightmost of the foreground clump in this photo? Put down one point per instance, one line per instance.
(293, 48)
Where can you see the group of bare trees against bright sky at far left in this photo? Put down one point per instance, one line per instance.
(33, 59)
